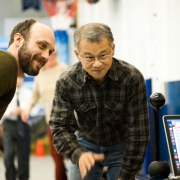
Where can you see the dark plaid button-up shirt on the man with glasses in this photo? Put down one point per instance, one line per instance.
(104, 115)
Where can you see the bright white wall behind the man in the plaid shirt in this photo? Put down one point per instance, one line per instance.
(146, 34)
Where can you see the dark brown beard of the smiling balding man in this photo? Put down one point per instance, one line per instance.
(25, 61)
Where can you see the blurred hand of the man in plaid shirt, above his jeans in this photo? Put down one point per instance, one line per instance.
(87, 161)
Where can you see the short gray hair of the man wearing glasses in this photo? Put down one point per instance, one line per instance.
(92, 32)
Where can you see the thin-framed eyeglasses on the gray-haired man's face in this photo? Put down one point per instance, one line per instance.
(90, 59)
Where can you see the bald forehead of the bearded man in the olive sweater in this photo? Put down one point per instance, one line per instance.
(40, 32)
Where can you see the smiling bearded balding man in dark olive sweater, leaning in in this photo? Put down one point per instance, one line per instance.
(30, 46)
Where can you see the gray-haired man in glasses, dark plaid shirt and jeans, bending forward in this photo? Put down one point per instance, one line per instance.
(99, 116)
